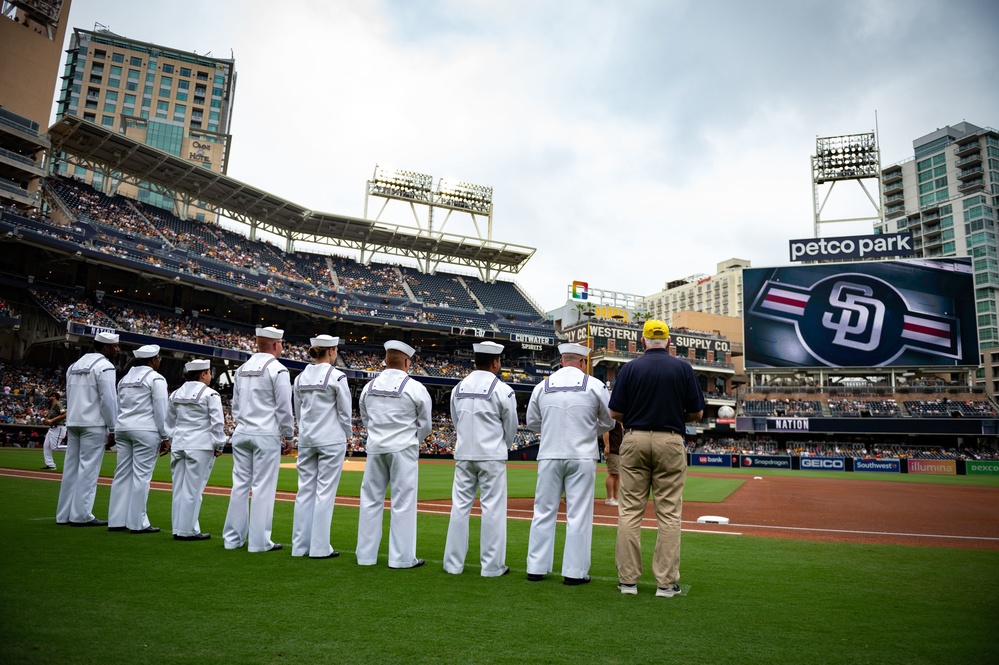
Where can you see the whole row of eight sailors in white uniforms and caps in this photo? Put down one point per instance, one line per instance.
(569, 409)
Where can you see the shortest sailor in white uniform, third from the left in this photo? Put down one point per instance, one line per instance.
(196, 425)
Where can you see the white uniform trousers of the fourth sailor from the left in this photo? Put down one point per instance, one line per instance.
(255, 465)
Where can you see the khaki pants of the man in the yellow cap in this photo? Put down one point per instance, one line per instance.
(656, 461)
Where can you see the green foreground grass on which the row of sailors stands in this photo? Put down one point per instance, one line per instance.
(86, 595)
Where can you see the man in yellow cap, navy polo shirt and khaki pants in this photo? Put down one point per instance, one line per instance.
(654, 396)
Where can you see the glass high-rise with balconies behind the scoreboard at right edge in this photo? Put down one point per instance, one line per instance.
(947, 194)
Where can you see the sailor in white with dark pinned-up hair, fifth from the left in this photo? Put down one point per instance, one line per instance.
(323, 411)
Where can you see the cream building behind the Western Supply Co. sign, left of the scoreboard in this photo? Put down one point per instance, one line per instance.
(720, 293)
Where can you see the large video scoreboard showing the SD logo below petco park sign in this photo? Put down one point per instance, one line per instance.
(918, 313)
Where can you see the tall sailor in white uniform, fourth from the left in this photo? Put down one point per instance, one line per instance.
(265, 429)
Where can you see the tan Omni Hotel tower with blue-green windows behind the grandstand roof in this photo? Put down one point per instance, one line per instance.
(177, 101)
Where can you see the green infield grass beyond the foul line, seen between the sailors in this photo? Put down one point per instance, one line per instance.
(435, 478)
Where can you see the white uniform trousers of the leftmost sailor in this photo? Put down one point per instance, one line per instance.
(80, 469)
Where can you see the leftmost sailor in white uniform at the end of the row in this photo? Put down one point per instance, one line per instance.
(91, 408)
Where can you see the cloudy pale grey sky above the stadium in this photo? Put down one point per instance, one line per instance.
(630, 142)
